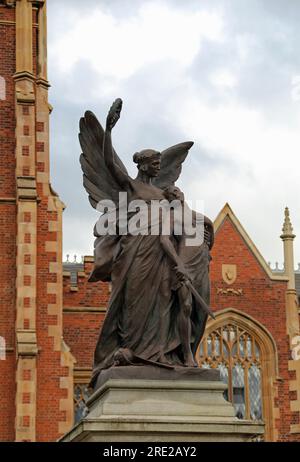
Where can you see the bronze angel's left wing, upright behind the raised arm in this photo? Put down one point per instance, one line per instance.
(97, 178)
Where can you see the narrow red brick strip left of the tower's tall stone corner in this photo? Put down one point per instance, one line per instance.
(7, 225)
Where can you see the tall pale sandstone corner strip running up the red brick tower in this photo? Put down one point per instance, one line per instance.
(26, 260)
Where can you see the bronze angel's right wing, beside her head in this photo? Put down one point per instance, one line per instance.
(171, 164)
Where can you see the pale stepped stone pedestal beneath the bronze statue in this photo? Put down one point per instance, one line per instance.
(162, 410)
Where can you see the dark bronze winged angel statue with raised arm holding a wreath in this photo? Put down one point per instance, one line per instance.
(160, 287)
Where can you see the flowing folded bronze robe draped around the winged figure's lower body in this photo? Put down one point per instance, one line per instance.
(143, 309)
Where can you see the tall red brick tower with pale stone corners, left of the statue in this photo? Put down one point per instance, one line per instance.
(36, 374)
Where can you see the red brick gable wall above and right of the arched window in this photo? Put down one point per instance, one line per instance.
(263, 299)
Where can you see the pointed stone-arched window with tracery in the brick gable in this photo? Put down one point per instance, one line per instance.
(258, 353)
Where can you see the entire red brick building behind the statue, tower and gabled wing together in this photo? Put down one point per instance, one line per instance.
(50, 315)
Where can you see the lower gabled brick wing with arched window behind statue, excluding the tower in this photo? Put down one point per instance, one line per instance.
(250, 341)
